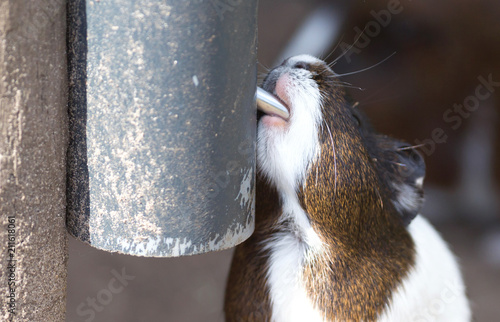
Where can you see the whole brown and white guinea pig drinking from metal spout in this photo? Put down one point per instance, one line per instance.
(337, 234)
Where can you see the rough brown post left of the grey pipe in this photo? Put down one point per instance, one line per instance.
(33, 140)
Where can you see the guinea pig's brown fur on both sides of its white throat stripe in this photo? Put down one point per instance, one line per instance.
(368, 250)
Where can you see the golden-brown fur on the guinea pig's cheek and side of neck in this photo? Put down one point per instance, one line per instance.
(366, 250)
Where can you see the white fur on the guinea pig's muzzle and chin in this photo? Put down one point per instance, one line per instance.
(285, 153)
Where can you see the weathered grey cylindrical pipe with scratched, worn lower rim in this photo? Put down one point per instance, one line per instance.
(161, 160)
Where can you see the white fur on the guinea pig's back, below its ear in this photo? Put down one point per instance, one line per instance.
(434, 290)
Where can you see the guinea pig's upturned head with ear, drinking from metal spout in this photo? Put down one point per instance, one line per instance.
(348, 178)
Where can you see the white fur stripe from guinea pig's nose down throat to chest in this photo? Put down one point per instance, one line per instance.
(284, 155)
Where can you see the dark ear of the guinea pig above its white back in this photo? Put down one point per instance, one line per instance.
(408, 184)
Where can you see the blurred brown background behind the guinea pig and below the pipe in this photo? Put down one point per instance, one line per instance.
(438, 84)
